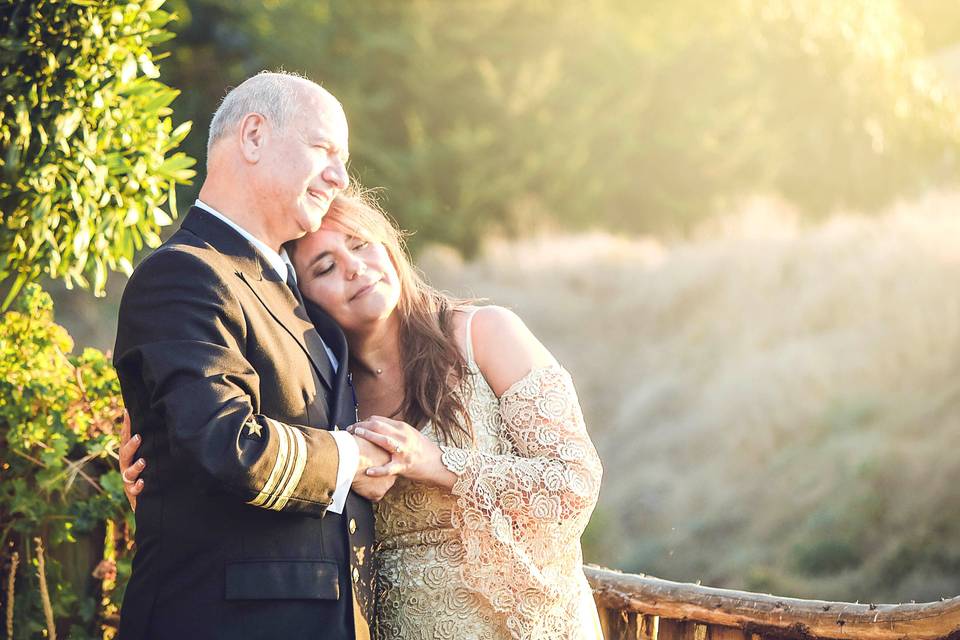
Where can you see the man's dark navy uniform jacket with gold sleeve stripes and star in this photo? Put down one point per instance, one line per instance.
(227, 381)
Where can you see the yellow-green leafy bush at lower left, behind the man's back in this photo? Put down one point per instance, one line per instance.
(58, 435)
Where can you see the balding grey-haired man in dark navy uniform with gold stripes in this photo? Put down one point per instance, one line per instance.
(247, 526)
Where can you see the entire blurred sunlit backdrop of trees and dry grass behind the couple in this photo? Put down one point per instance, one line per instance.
(735, 222)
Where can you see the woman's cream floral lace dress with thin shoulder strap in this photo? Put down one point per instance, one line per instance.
(499, 557)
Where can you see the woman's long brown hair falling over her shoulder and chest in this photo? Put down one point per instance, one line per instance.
(434, 367)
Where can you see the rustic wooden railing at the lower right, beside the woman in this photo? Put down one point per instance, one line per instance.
(641, 607)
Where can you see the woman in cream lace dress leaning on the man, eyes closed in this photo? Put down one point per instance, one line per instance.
(497, 477)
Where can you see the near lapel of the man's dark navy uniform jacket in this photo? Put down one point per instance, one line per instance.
(273, 293)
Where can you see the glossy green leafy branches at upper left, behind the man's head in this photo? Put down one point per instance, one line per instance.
(86, 139)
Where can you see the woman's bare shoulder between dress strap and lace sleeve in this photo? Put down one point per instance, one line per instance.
(504, 349)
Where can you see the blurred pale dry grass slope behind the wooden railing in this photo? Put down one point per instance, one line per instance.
(777, 404)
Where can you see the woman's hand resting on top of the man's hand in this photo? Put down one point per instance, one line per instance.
(412, 455)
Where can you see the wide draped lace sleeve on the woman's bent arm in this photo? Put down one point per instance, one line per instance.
(520, 515)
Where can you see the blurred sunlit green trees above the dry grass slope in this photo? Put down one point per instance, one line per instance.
(505, 115)
